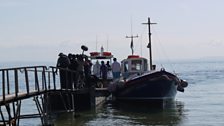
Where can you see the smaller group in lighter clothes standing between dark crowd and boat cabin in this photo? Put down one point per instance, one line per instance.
(102, 70)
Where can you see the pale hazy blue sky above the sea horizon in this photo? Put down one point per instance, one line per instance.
(38, 30)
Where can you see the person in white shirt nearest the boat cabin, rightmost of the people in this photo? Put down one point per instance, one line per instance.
(116, 69)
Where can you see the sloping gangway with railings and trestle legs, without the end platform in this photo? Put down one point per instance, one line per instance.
(26, 82)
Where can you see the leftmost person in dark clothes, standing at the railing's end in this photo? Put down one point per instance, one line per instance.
(63, 63)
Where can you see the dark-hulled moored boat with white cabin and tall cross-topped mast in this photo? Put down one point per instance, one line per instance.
(142, 85)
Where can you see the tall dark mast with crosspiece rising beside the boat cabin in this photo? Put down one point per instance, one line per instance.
(149, 44)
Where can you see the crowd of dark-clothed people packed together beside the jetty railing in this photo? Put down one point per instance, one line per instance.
(75, 70)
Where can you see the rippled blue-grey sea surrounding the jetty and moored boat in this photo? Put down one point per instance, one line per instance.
(201, 104)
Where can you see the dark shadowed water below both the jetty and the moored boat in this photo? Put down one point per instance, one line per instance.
(170, 114)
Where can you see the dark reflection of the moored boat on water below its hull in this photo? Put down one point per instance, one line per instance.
(170, 114)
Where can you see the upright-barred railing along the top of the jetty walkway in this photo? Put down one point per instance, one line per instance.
(31, 78)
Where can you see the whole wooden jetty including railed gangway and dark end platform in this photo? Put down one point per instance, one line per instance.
(43, 85)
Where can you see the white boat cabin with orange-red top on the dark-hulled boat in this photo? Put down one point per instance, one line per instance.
(134, 64)
